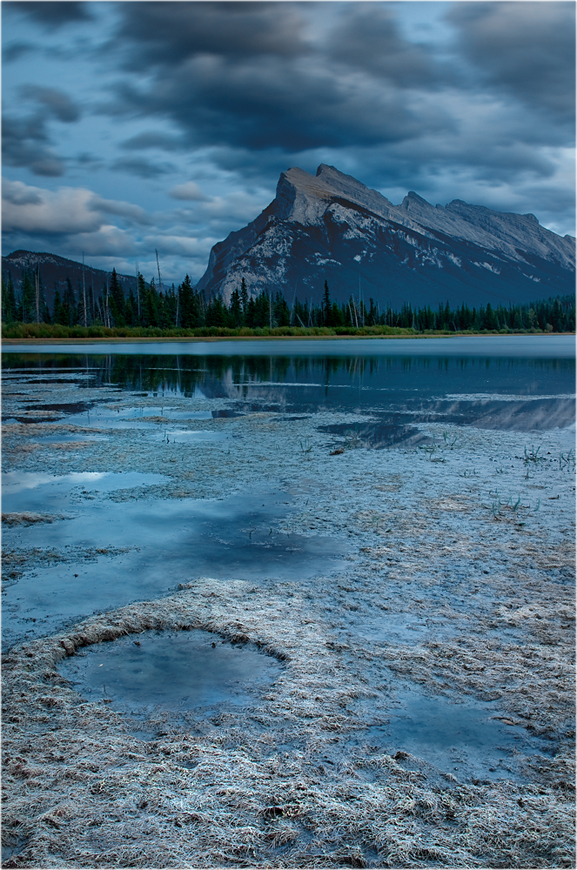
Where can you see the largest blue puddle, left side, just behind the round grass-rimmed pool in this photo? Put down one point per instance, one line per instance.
(116, 553)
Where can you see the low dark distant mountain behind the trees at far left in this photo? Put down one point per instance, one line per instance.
(54, 271)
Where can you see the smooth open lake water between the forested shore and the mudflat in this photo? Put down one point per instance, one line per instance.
(509, 382)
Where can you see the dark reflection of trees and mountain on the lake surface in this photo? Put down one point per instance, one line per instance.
(500, 392)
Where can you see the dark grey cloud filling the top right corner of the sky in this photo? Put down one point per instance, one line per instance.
(523, 49)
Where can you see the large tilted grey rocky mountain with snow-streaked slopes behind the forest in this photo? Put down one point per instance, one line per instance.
(331, 227)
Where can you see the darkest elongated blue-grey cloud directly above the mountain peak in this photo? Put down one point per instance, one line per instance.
(272, 104)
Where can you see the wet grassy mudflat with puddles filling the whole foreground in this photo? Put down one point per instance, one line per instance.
(246, 627)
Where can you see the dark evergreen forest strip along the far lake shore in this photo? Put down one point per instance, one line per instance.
(148, 310)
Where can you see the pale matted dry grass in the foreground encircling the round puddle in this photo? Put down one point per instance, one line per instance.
(257, 787)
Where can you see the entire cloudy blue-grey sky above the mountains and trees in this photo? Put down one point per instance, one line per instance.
(135, 126)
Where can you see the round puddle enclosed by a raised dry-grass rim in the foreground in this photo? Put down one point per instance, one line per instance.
(175, 671)
